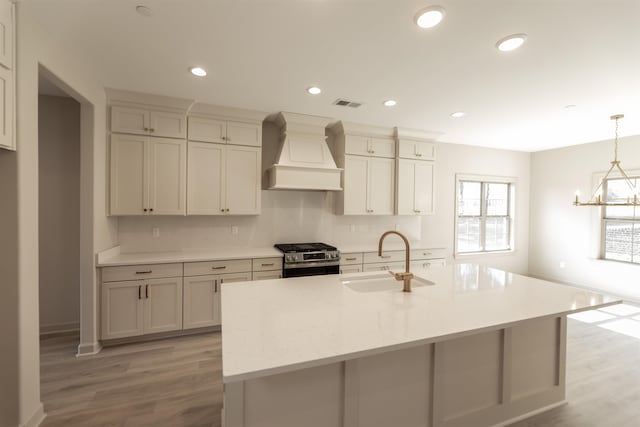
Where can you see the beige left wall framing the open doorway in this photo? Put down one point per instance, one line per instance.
(37, 48)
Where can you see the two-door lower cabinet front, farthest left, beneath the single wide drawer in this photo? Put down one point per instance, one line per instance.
(138, 307)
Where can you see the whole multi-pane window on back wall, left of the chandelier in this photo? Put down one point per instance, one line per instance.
(484, 214)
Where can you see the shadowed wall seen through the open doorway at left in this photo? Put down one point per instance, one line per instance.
(59, 212)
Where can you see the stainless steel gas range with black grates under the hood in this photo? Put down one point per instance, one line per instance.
(309, 259)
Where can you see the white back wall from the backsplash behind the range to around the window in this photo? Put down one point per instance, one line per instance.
(297, 216)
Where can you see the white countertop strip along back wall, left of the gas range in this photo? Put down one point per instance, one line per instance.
(115, 258)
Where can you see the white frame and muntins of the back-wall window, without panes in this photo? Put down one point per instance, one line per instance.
(511, 198)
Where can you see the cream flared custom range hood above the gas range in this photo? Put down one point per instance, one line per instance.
(304, 160)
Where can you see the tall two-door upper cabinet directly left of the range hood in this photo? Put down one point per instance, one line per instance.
(223, 179)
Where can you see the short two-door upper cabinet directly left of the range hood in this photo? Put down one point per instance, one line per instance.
(204, 129)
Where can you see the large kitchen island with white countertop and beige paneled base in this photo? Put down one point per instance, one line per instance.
(469, 346)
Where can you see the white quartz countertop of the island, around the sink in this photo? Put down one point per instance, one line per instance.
(275, 326)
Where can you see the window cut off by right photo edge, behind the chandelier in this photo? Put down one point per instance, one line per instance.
(620, 224)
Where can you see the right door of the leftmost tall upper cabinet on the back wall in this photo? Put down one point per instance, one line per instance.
(167, 163)
